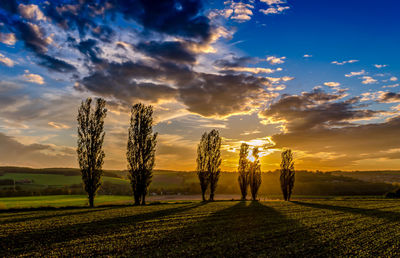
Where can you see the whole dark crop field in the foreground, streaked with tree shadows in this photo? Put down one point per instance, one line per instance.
(224, 228)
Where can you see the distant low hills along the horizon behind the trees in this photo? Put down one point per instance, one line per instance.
(67, 181)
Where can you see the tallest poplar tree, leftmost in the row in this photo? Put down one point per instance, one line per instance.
(90, 145)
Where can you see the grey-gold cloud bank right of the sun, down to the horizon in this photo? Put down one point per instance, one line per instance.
(323, 131)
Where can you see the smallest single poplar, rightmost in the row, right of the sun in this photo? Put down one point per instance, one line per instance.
(287, 174)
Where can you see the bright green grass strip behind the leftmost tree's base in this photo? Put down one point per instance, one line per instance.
(58, 201)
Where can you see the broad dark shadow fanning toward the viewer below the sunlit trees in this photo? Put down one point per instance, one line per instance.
(240, 230)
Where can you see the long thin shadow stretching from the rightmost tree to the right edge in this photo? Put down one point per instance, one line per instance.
(388, 215)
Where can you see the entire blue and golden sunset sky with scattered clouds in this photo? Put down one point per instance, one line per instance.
(318, 77)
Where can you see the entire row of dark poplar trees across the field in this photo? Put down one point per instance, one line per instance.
(140, 155)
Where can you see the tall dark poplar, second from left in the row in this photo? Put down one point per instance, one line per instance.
(141, 151)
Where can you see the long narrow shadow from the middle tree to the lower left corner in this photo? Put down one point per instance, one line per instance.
(20, 243)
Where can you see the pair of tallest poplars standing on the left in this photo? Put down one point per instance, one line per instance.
(140, 147)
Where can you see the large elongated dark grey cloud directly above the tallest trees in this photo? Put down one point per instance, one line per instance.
(138, 81)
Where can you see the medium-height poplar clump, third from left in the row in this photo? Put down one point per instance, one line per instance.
(208, 162)
